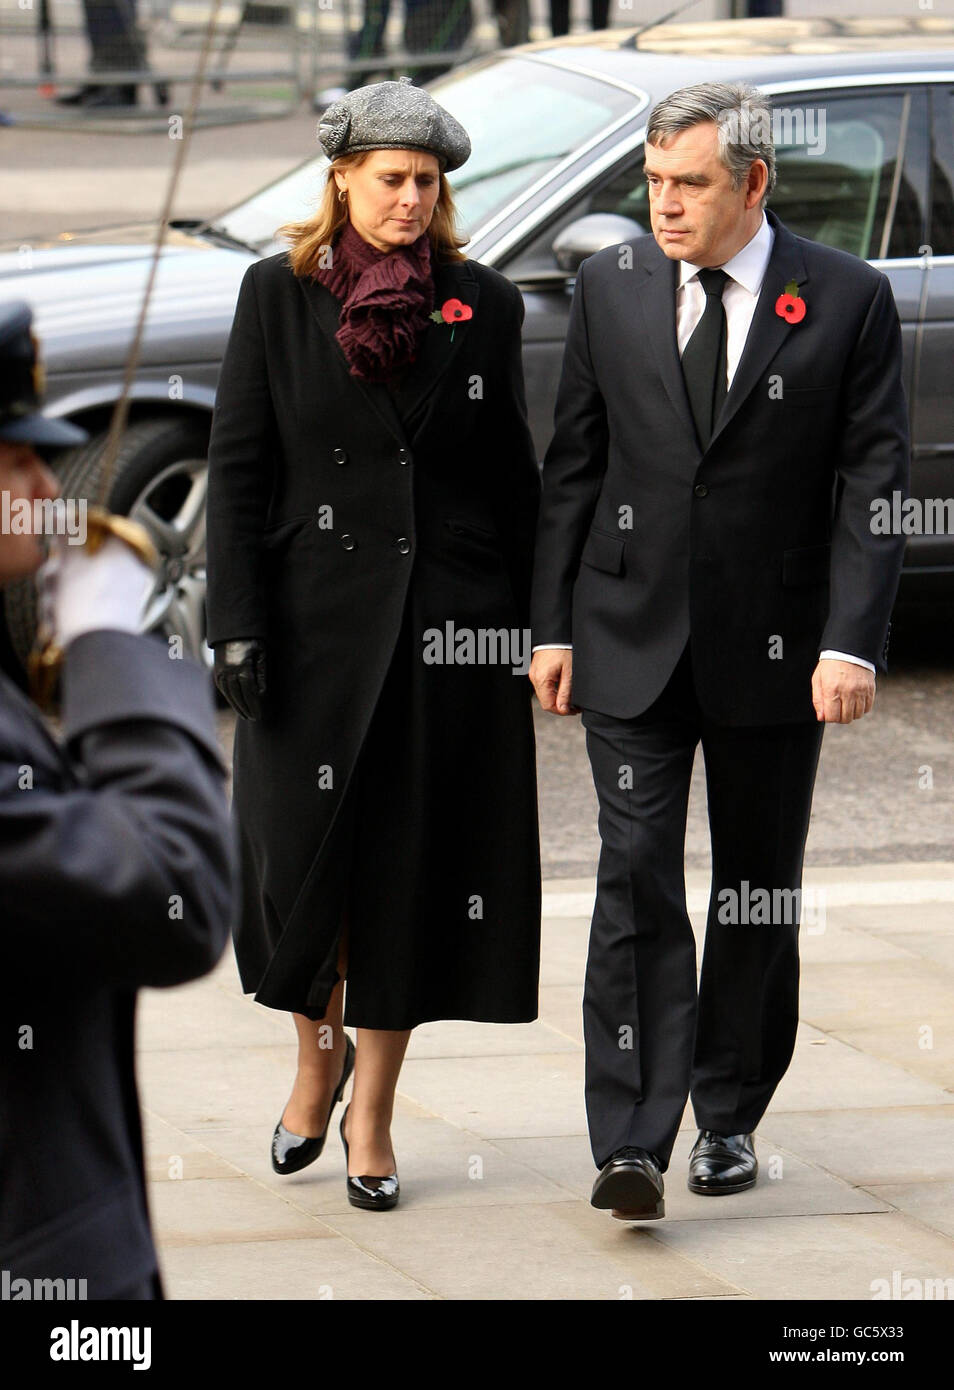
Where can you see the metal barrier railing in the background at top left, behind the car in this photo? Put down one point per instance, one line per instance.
(277, 55)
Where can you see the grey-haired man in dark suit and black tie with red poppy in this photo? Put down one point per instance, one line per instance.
(729, 411)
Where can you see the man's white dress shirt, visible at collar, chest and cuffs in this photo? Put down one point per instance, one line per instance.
(746, 273)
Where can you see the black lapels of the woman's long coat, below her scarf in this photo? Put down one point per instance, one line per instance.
(442, 343)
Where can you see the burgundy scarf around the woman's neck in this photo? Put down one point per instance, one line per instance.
(386, 302)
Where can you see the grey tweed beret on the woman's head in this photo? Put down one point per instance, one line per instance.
(393, 116)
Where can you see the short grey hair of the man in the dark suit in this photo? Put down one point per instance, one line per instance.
(743, 119)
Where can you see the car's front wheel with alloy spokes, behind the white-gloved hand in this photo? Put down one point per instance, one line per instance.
(161, 480)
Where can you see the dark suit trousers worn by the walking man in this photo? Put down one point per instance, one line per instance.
(650, 1040)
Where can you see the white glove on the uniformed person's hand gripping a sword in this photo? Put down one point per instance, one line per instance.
(83, 593)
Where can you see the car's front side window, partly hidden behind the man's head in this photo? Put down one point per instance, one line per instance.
(839, 180)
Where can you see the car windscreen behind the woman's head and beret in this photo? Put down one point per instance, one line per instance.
(522, 116)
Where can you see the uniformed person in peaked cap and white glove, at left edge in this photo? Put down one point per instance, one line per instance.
(116, 872)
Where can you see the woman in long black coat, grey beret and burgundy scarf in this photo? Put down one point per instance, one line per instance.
(372, 509)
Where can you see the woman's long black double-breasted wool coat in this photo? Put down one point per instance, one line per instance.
(350, 523)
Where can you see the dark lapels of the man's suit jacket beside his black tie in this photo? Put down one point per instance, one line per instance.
(767, 333)
